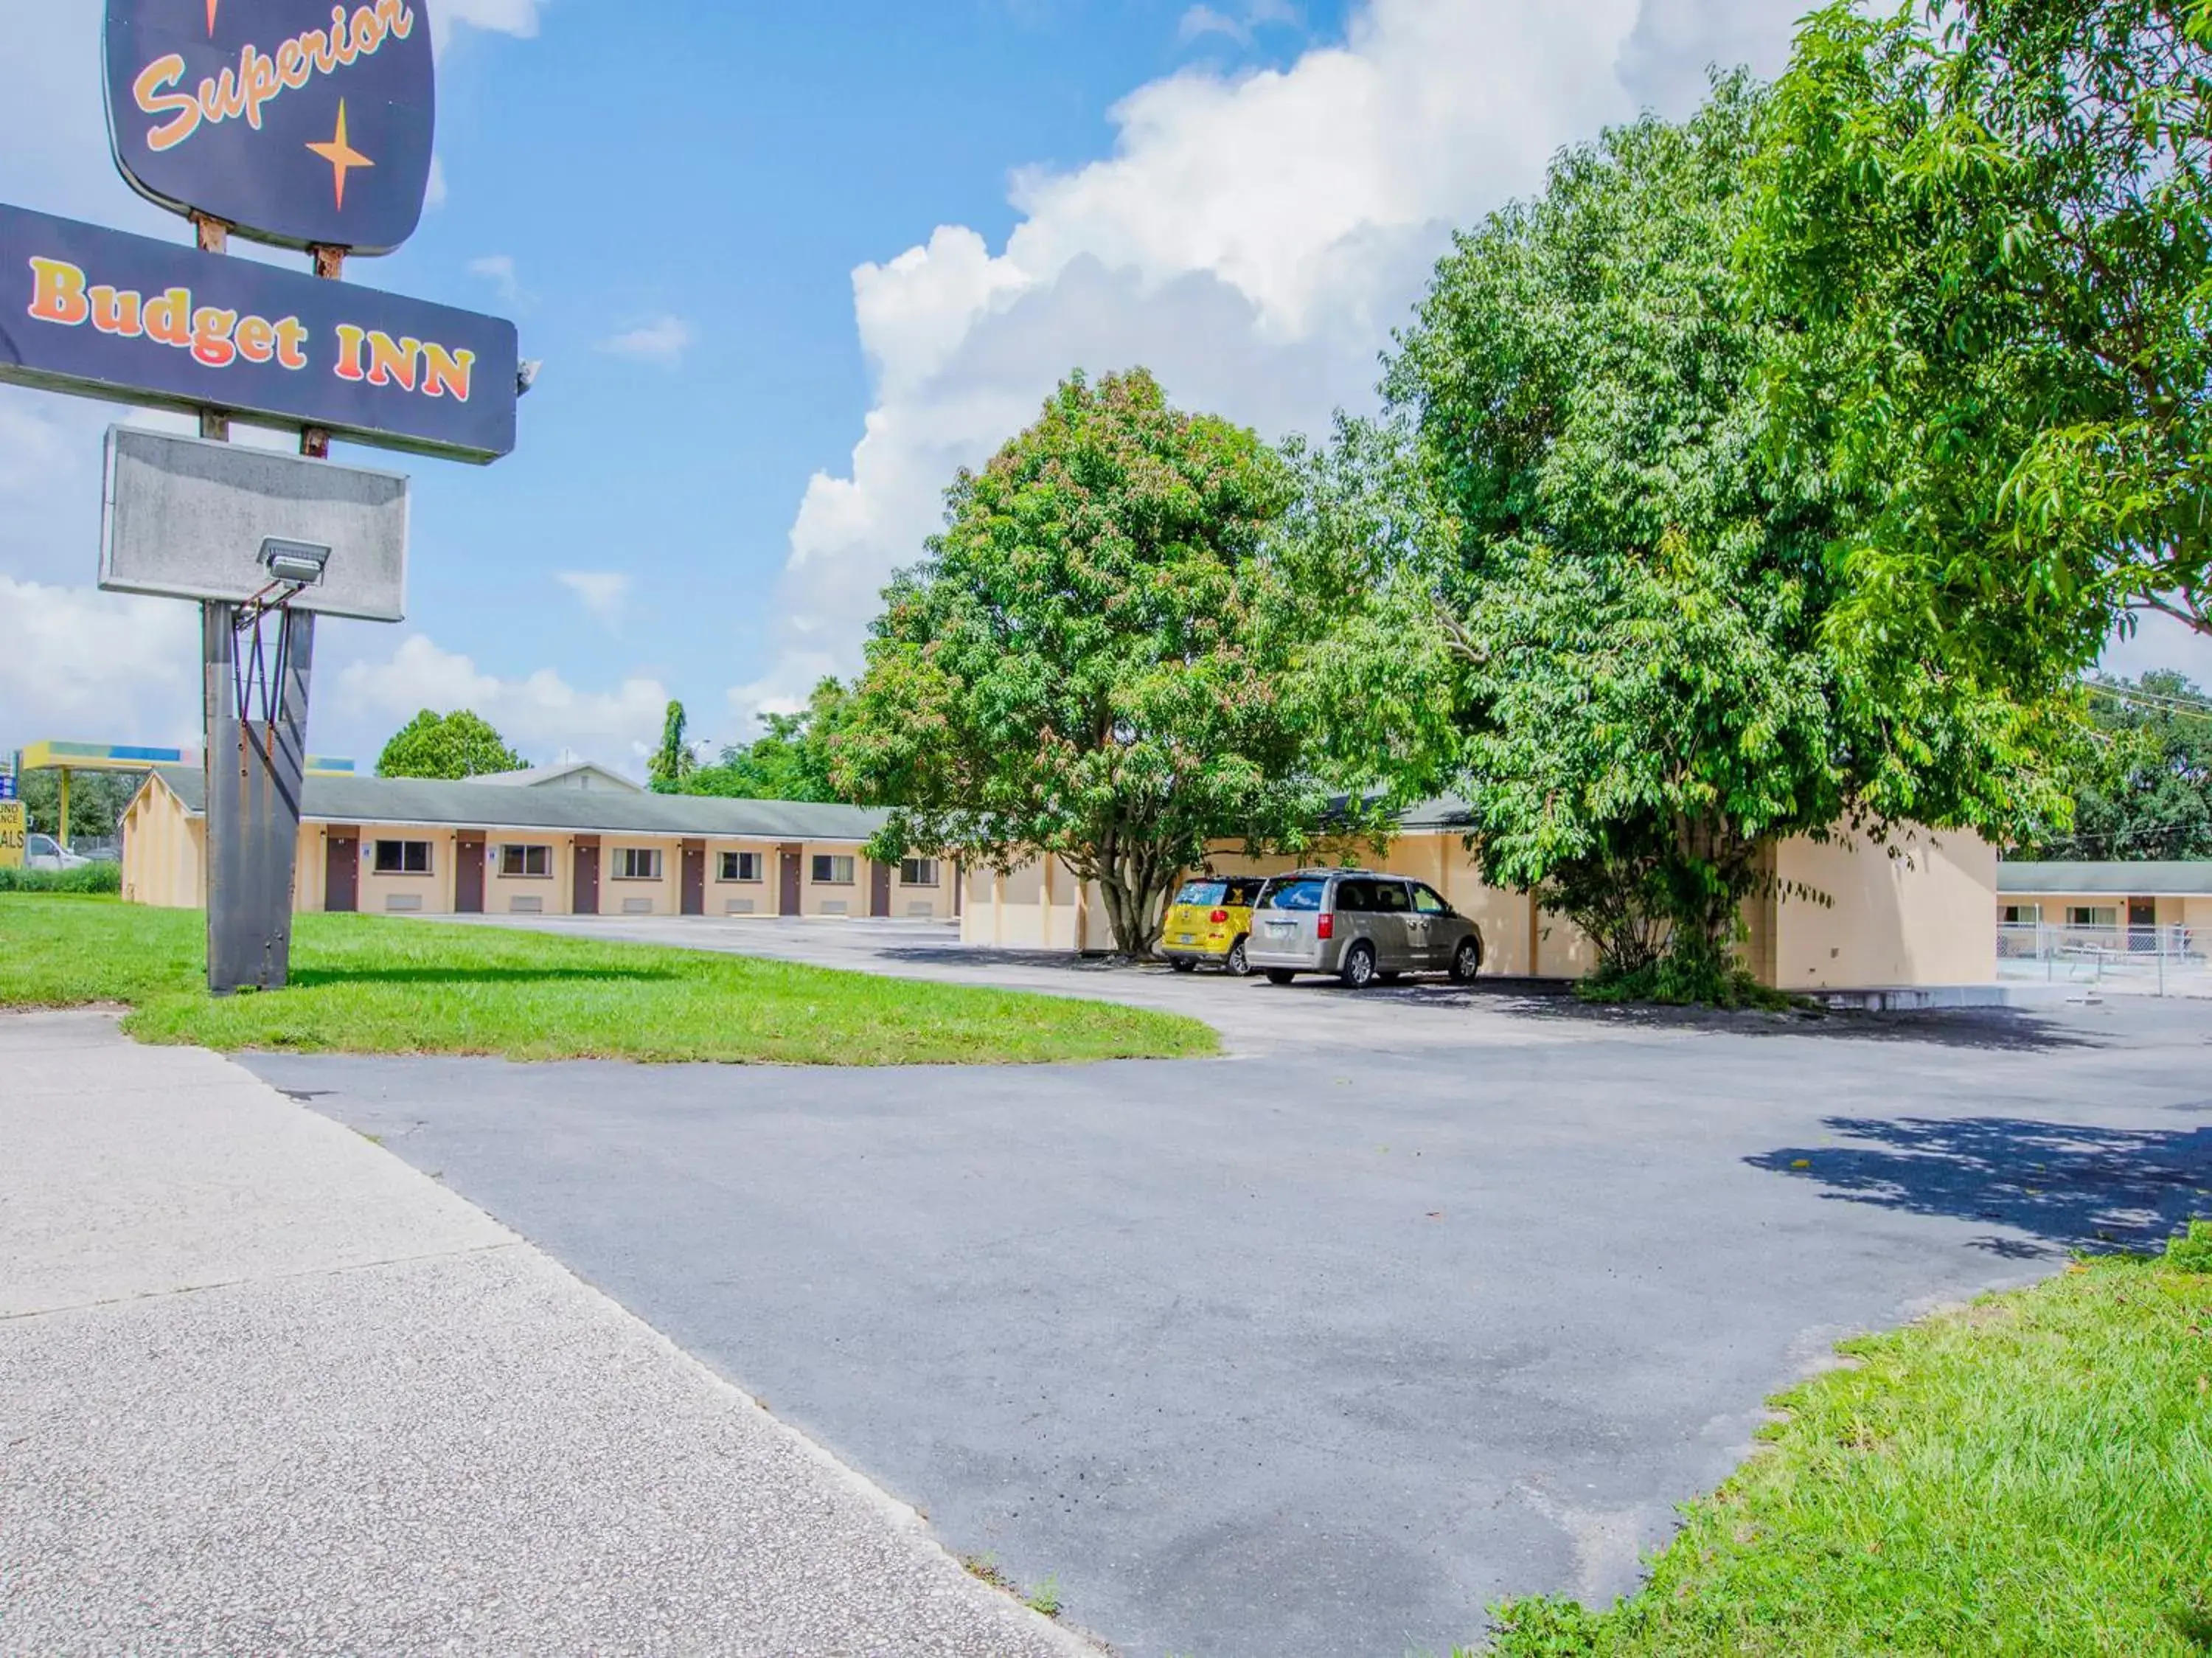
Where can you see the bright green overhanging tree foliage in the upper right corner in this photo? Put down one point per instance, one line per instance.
(1990, 225)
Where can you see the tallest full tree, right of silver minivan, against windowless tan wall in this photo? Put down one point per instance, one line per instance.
(1627, 586)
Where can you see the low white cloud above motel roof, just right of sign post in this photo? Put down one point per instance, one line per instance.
(539, 714)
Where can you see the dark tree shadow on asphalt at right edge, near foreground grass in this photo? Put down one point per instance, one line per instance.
(2065, 1183)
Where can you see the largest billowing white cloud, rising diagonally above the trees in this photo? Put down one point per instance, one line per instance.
(1253, 240)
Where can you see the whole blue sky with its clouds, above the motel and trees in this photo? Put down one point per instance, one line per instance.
(789, 267)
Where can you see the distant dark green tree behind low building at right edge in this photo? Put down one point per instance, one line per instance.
(2145, 783)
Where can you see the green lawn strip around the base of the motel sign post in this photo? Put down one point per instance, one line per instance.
(373, 986)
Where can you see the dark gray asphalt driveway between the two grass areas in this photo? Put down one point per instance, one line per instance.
(1319, 1349)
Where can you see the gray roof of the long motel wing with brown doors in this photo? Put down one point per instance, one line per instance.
(581, 811)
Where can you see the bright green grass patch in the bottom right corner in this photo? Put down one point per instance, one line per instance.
(2030, 1475)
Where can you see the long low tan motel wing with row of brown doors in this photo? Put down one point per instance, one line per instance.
(556, 840)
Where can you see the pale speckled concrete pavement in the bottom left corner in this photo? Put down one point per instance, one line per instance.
(264, 1389)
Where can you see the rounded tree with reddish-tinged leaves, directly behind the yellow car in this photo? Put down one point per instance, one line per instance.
(1092, 661)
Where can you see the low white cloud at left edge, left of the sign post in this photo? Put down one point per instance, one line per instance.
(96, 667)
